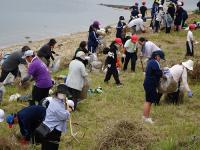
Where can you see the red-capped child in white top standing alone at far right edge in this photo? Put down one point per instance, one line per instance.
(189, 42)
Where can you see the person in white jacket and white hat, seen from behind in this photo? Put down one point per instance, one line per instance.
(76, 76)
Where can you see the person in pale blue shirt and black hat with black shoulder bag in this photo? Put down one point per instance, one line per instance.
(54, 123)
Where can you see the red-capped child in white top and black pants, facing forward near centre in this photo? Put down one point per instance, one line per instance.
(131, 52)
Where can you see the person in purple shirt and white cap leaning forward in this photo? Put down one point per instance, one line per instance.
(39, 72)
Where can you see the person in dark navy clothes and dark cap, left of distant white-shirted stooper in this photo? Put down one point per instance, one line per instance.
(120, 27)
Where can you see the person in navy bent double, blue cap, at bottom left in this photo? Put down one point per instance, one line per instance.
(29, 118)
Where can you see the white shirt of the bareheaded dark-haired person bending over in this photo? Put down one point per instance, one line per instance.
(148, 48)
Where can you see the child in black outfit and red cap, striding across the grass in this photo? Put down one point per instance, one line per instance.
(111, 61)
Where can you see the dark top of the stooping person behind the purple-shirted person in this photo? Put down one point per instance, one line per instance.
(46, 52)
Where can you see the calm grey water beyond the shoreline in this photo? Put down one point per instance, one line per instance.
(39, 19)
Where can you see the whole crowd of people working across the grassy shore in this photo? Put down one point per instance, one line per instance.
(44, 119)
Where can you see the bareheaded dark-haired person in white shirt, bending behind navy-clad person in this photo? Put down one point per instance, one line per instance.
(148, 47)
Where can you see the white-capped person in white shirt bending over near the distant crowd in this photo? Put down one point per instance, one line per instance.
(137, 25)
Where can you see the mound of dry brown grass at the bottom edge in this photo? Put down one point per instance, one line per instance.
(124, 135)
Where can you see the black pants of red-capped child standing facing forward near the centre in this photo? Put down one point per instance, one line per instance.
(133, 57)
